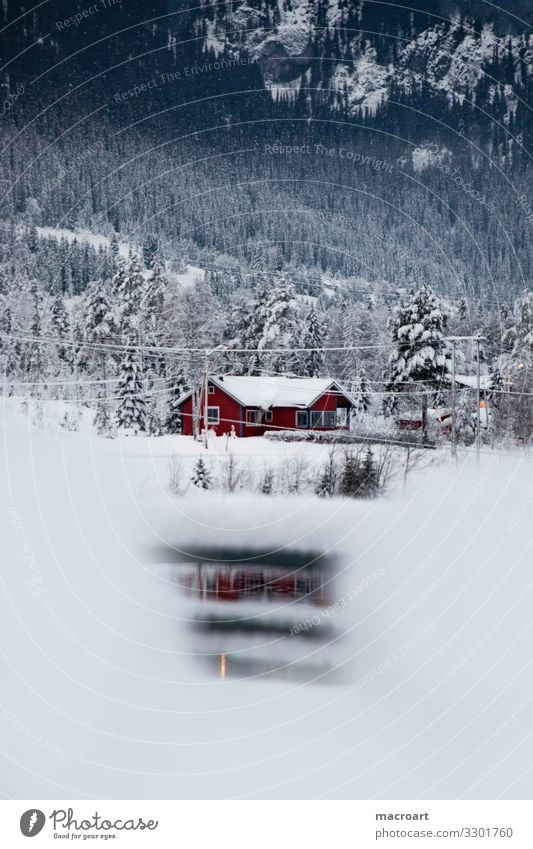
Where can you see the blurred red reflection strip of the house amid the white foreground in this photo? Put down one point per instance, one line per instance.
(236, 582)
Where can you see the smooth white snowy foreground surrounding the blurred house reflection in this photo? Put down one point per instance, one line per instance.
(102, 695)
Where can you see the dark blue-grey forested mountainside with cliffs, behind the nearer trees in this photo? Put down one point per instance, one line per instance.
(360, 137)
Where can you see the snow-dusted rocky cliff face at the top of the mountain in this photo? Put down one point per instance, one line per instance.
(358, 62)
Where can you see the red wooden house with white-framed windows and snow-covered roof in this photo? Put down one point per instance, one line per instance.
(253, 405)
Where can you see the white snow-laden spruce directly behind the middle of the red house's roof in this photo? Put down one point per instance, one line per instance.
(282, 328)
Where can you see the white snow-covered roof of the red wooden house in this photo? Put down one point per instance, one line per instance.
(266, 391)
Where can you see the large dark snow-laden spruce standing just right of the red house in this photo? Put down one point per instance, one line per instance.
(417, 329)
